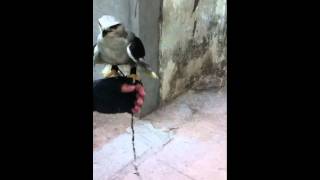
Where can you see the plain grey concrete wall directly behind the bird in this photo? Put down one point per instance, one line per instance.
(145, 25)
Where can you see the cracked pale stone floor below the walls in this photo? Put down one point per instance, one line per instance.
(184, 140)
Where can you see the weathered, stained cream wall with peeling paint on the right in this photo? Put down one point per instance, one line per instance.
(192, 46)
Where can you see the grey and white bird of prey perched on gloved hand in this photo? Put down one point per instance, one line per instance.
(117, 46)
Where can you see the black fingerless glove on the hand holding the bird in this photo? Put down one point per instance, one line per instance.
(109, 96)
